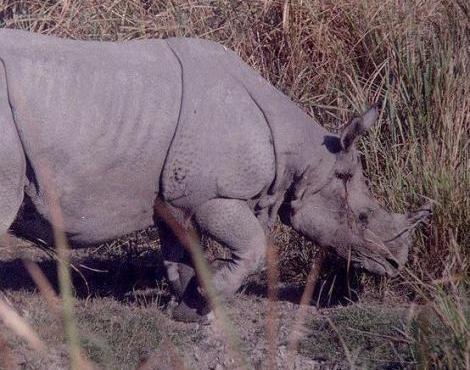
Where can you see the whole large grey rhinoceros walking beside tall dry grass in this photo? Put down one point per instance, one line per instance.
(112, 126)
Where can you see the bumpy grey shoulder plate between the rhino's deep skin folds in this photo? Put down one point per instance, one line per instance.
(223, 144)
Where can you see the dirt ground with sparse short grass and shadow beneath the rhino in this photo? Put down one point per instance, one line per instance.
(123, 313)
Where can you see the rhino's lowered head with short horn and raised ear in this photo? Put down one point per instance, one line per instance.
(334, 208)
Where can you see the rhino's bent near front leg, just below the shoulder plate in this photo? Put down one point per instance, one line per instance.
(232, 223)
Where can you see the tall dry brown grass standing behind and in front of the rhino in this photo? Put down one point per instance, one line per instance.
(334, 58)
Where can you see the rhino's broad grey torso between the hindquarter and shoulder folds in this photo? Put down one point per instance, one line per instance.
(98, 118)
